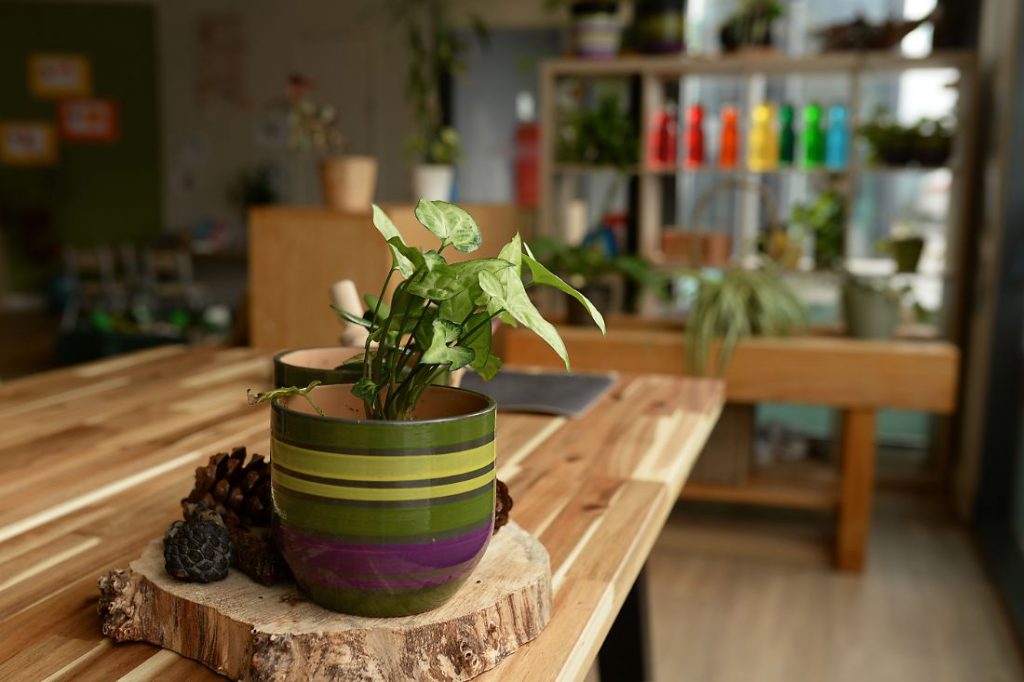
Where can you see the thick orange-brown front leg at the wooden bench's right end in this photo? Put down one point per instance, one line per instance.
(857, 489)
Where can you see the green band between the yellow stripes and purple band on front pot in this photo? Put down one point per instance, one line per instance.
(382, 526)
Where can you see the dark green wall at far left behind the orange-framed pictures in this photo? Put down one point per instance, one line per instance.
(97, 194)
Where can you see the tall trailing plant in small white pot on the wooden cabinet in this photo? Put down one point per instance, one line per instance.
(437, 57)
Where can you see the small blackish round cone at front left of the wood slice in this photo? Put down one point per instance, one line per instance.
(198, 551)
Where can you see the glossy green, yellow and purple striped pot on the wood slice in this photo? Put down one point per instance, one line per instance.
(382, 519)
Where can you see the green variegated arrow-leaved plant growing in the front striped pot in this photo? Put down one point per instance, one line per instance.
(440, 317)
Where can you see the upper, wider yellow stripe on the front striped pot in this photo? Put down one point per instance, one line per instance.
(370, 467)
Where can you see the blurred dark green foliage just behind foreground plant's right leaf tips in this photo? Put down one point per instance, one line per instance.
(584, 265)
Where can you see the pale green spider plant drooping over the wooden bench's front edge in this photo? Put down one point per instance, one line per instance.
(737, 305)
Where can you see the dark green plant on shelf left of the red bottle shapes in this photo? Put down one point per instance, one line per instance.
(605, 136)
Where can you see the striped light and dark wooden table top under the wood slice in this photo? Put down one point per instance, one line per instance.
(95, 460)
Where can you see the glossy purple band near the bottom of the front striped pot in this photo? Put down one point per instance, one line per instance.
(350, 559)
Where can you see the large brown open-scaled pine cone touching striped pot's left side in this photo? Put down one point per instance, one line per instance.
(239, 492)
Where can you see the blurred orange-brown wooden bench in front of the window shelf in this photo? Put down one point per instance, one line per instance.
(857, 377)
